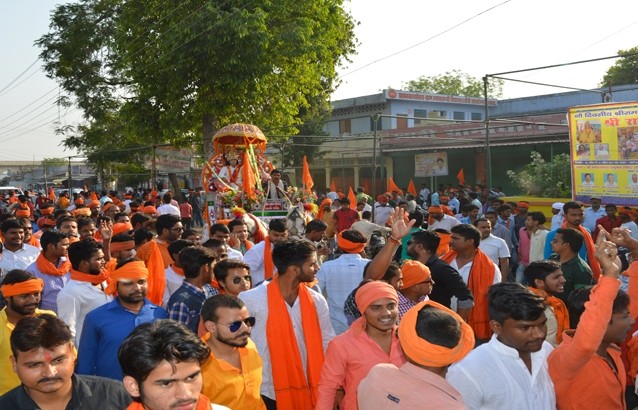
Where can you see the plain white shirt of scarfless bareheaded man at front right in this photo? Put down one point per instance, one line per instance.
(494, 377)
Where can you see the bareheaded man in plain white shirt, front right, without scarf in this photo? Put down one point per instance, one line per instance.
(515, 358)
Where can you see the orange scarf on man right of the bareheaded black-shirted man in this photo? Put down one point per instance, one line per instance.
(480, 279)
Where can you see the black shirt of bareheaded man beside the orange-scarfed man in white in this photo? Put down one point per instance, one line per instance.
(447, 283)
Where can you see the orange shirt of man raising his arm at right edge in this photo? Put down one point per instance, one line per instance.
(582, 379)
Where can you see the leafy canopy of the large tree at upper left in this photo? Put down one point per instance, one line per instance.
(155, 72)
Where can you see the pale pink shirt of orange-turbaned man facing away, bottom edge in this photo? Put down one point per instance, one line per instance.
(408, 387)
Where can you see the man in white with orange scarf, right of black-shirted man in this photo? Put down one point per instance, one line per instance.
(478, 271)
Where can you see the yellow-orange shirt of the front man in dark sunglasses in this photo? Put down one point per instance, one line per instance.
(235, 388)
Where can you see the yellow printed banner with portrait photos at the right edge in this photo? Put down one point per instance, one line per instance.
(604, 148)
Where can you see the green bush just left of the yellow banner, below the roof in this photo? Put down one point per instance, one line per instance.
(542, 178)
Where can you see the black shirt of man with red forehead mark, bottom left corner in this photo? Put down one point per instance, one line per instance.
(88, 393)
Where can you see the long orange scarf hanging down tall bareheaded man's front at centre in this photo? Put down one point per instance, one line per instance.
(291, 388)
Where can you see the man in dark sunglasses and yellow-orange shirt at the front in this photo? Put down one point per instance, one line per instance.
(232, 373)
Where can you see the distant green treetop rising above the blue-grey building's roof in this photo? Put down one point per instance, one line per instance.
(455, 82)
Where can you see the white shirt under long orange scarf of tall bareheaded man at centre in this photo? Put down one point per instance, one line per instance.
(256, 300)
